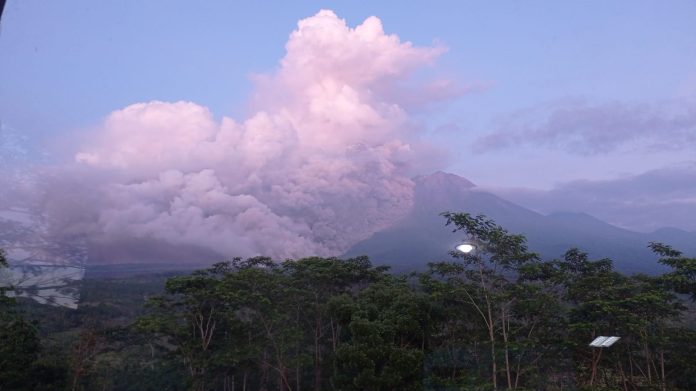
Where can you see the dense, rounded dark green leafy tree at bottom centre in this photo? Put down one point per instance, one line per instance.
(387, 326)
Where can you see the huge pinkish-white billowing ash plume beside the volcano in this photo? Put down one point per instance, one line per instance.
(324, 162)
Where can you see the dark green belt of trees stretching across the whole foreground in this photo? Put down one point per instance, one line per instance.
(498, 318)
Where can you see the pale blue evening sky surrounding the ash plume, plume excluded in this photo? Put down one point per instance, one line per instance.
(64, 66)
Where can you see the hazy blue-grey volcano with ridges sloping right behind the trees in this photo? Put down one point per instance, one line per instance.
(422, 236)
